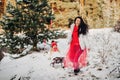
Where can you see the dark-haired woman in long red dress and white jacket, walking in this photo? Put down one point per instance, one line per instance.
(76, 56)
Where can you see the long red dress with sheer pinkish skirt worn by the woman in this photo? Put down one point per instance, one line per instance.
(76, 57)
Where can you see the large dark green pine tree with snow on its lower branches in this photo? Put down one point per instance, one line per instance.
(26, 24)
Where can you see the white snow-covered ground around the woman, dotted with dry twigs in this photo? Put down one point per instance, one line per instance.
(103, 58)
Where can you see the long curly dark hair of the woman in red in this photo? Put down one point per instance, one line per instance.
(83, 27)
